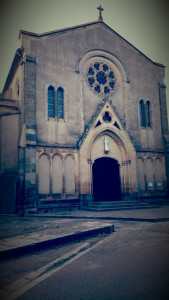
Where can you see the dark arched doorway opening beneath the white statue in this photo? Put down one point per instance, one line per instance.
(106, 179)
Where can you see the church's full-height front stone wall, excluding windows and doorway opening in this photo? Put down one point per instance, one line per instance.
(62, 59)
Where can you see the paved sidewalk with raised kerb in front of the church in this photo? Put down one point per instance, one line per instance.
(22, 234)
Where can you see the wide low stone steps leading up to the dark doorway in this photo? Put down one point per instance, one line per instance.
(119, 205)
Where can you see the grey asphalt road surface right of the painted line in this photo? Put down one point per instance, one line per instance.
(130, 264)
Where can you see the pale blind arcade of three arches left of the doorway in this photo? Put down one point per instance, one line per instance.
(57, 173)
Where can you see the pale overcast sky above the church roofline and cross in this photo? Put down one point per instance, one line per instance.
(144, 23)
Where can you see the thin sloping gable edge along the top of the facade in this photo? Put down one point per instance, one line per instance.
(59, 31)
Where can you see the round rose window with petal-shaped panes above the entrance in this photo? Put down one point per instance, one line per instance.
(101, 78)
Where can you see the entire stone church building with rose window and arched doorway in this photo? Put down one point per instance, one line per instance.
(83, 118)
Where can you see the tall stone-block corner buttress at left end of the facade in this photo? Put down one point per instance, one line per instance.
(30, 122)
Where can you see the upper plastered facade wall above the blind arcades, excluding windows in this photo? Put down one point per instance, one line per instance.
(58, 57)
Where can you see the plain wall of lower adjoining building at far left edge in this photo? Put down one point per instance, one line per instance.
(9, 132)
